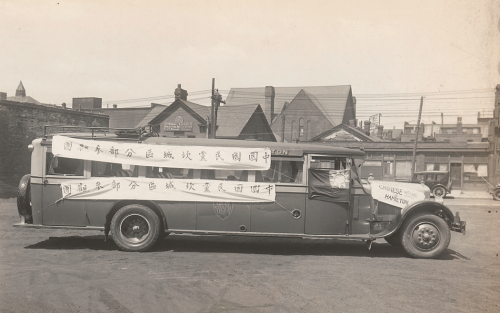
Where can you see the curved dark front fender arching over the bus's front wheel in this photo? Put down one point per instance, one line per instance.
(432, 207)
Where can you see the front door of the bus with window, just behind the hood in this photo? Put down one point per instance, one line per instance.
(327, 203)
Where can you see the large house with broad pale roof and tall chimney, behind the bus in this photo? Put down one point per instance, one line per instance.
(299, 113)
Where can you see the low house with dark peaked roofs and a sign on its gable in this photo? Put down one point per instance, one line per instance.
(183, 118)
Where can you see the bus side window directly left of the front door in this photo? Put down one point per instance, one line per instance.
(283, 170)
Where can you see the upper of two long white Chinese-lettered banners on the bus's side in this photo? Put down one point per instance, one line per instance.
(196, 157)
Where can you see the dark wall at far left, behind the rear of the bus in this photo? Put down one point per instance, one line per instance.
(20, 123)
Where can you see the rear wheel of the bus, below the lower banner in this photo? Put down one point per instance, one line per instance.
(135, 228)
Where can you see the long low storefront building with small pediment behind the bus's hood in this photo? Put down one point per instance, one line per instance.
(467, 161)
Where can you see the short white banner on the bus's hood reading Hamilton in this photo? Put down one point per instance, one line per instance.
(397, 194)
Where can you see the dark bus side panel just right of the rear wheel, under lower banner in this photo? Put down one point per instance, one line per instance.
(179, 215)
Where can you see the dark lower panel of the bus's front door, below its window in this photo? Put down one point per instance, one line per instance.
(326, 218)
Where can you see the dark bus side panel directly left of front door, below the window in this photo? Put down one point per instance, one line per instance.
(277, 217)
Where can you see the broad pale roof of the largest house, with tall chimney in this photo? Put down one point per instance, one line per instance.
(331, 100)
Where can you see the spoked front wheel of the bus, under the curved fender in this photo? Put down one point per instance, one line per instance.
(425, 236)
